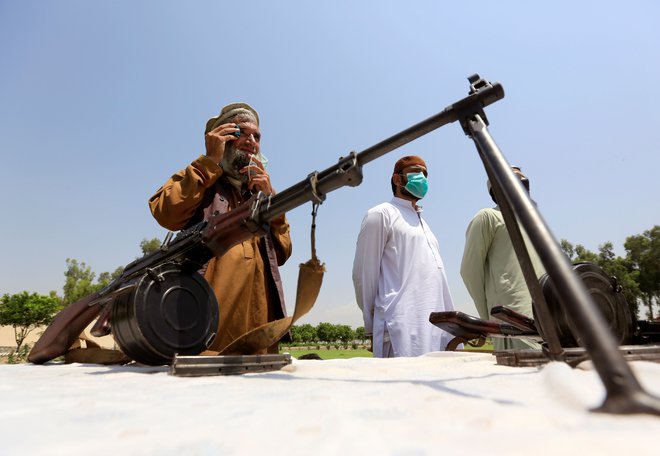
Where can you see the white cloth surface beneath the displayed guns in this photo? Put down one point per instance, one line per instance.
(440, 403)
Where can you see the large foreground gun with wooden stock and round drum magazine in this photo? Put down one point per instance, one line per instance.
(161, 307)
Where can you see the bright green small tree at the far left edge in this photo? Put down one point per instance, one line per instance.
(25, 312)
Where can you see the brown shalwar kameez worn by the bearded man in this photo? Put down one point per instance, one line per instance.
(246, 279)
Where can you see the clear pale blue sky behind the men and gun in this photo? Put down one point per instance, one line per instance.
(100, 102)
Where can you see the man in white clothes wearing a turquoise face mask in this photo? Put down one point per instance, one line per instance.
(398, 273)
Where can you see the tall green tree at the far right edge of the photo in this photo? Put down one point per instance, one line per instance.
(643, 252)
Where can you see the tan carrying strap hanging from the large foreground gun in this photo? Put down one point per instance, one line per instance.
(310, 279)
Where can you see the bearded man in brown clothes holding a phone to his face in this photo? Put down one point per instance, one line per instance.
(246, 279)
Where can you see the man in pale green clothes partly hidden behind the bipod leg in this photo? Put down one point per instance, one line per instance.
(491, 271)
